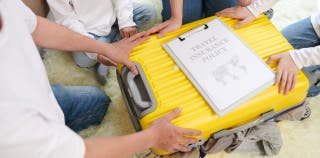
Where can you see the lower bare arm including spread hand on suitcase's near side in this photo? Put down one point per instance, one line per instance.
(161, 135)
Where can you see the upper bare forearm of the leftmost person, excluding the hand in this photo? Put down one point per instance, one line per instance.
(53, 36)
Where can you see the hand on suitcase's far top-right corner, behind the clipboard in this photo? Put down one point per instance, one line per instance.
(238, 12)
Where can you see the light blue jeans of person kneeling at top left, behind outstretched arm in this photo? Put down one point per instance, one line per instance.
(143, 15)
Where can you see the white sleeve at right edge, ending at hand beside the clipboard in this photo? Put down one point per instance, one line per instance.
(306, 57)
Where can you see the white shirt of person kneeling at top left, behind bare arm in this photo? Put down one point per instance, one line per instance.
(94, 16)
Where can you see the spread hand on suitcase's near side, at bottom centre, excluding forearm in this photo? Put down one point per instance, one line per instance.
(169, 137)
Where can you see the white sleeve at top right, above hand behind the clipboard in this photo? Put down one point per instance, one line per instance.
(259, 6)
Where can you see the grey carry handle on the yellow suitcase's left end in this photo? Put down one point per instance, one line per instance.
(135, 93)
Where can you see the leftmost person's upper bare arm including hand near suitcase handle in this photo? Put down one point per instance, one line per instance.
(50, 35)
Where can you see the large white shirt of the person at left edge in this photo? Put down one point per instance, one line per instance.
(32, 123)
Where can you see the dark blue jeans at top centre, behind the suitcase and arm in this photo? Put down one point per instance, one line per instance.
(197, 9)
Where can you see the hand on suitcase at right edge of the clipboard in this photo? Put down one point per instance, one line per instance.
(287, 72)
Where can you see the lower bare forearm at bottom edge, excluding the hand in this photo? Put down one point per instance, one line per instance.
(120, 147)
